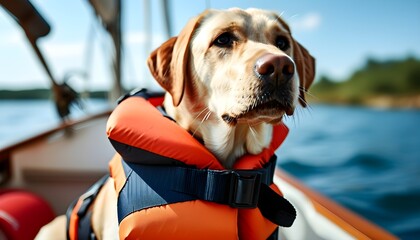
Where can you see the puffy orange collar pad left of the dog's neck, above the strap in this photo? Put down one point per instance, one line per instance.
(137, 124)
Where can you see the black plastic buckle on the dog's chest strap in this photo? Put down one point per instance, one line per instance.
(244, 189)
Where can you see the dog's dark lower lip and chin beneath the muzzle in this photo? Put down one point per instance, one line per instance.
(271, 112)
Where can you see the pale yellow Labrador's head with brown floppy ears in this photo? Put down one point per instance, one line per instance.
(243, 65)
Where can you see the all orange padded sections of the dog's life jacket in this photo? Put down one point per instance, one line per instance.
(137, 126)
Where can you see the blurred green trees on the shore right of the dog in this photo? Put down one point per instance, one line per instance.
(391, 78)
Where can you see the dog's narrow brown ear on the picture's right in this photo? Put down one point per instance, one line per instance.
(305, 65)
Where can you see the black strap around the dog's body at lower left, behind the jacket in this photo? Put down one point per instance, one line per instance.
(85, 230)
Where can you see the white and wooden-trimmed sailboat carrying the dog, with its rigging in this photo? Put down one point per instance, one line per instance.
(58, 165)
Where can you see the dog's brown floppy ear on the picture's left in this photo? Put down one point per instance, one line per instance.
(169, 63)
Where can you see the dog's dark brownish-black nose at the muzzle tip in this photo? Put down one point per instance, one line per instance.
(275, 67)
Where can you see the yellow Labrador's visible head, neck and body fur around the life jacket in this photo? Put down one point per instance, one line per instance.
(230, 76)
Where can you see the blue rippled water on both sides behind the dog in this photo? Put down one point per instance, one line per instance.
(368, 160)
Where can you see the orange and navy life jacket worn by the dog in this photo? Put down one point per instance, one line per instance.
(171, 187)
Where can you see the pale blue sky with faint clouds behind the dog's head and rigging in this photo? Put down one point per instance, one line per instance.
(341, 35)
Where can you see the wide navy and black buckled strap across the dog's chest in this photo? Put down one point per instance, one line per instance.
(170, 184)
